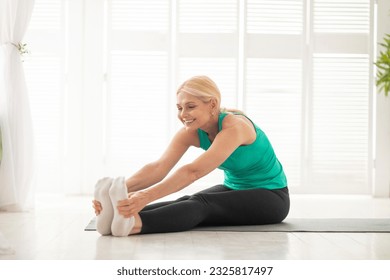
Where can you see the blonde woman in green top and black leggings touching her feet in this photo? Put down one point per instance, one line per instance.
(254, 190)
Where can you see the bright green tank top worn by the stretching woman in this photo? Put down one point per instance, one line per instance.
(250, 166)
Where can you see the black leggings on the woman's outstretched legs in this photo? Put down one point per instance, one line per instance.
(217, 206)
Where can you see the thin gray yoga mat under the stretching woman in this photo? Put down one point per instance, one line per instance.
(301, 225)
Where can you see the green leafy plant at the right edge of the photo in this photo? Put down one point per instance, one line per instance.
(383, 66)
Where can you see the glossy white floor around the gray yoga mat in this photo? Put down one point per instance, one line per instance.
(55, 230)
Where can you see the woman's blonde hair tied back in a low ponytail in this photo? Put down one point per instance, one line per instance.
(205, 89)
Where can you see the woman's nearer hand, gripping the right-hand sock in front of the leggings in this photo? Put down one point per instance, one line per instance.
(134, 204)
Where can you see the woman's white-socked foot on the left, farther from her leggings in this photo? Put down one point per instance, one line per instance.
(104, 219)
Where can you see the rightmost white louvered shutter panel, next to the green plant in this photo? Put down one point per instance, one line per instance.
(340, 97)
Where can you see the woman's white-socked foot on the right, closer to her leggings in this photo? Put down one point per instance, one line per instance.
(120, 226)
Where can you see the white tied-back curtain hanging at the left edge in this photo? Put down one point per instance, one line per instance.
(16, 169)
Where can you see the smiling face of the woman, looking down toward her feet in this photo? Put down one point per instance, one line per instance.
(195, 113)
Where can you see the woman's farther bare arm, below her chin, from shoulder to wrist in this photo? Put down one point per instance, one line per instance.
(154, 172)
